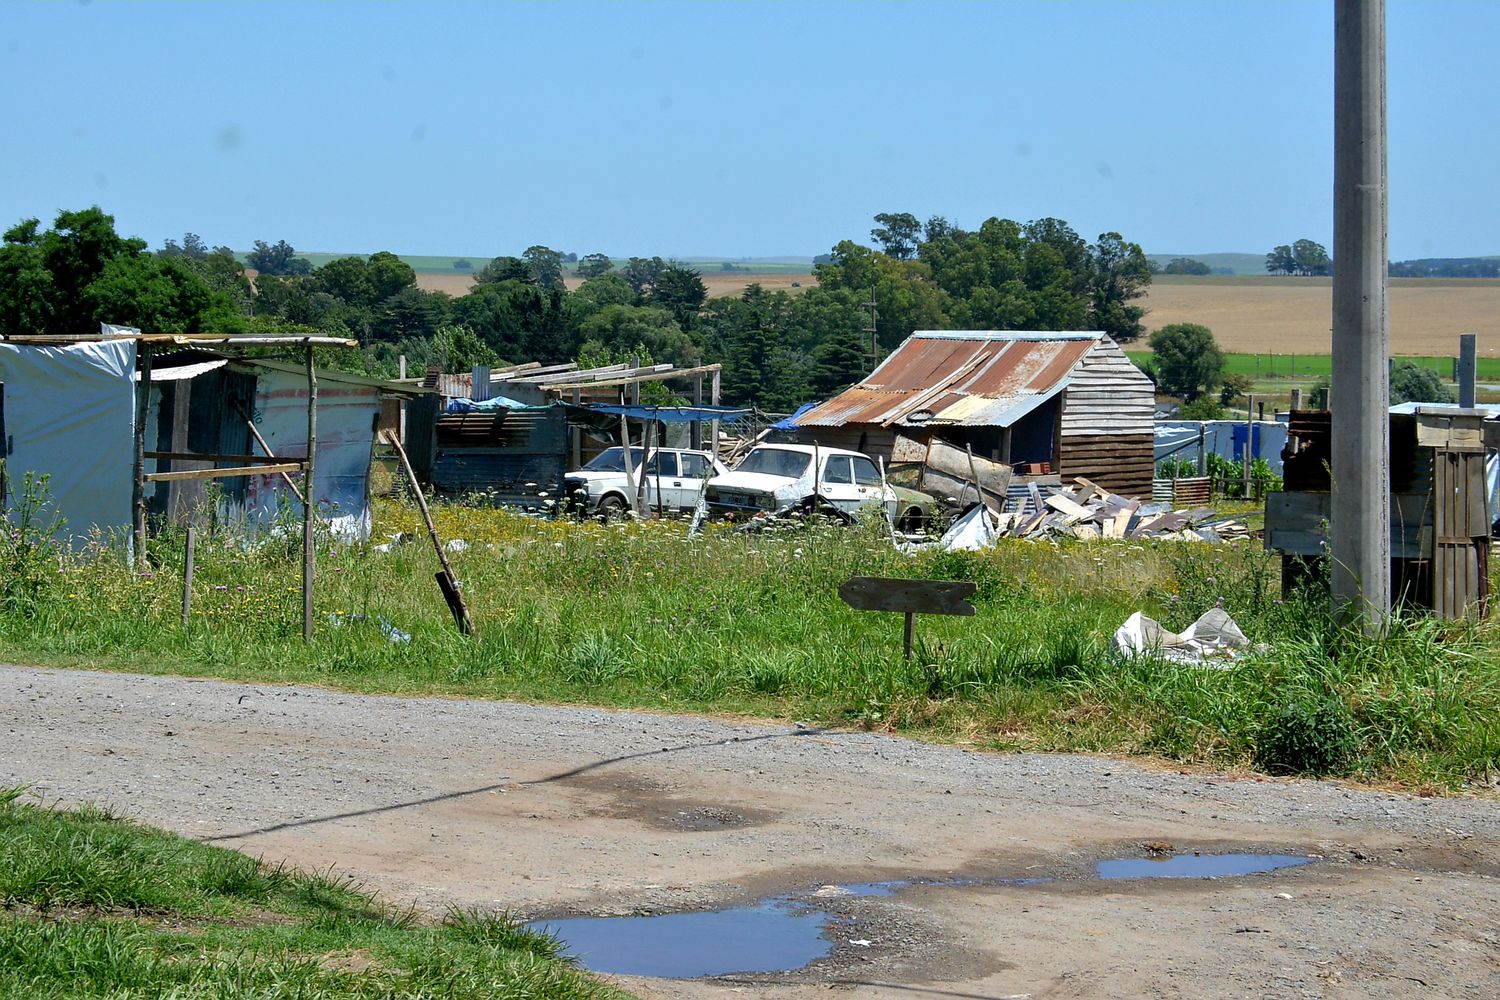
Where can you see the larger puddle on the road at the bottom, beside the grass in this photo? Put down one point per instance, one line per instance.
(766, 938)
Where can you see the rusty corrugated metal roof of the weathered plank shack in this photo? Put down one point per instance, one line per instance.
(968, 379)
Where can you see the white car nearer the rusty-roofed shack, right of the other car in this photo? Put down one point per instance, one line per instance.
(776, 476)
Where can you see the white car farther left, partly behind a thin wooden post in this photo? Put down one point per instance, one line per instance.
(601, 487)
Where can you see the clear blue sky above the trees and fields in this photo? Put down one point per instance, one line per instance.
(749, 130)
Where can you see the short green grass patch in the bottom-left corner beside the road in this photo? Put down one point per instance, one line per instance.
(95, 906)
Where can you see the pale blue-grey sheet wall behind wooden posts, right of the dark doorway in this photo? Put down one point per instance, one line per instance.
(343, 464)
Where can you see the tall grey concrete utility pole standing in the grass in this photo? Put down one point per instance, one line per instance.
(1361, 467)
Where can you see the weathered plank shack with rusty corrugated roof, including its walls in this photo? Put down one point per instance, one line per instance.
(1057, 403)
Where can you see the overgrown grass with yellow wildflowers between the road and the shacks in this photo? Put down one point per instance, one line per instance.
(644, 617)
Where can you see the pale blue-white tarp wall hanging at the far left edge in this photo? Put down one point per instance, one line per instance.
(70, 413)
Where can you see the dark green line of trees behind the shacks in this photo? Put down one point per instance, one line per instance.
(779, 349)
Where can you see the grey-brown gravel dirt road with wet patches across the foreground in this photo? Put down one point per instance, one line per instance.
(571, 812)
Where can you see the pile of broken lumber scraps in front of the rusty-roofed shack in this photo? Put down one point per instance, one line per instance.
(1091, 512)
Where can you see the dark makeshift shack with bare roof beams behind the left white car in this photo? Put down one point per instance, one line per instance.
(508, 436)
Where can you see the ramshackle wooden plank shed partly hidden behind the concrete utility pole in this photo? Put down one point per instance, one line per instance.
(1441, 513)
